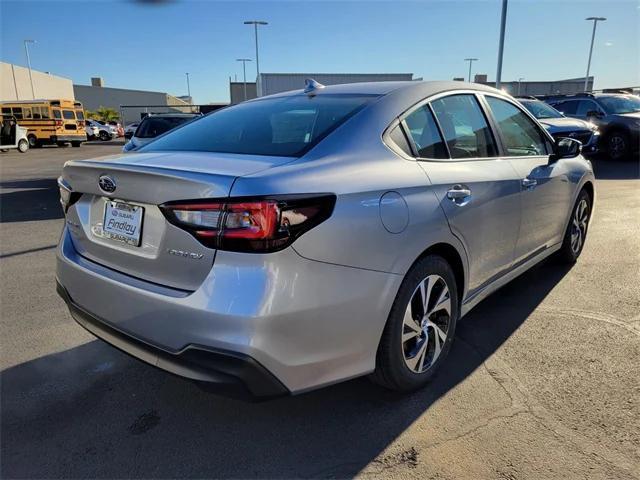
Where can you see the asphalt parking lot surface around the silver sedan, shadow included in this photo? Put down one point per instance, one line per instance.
(542, 381)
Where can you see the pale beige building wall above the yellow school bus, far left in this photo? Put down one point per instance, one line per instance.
(15, 84)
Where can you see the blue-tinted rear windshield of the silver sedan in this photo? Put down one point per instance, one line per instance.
(285, 126)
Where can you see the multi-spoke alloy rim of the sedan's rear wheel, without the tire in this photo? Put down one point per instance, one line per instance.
(426, 324)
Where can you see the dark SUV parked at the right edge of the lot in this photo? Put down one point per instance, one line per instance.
(616, 115)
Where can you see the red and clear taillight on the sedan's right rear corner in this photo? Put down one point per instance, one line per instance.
(265, 224)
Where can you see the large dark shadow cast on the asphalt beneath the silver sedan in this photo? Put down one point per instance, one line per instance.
(93, 412)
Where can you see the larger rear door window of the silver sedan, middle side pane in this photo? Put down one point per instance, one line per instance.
(464, 127)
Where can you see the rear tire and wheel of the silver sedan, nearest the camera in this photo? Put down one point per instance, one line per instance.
(420, 328)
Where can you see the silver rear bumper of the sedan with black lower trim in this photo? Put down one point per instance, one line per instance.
(306, 323)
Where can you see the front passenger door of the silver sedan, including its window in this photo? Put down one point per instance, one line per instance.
(545, 190)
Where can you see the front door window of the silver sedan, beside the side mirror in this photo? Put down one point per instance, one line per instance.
(520, 134)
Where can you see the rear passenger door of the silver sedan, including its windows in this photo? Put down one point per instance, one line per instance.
(477, 190)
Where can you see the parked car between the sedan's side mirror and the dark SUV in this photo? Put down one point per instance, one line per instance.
(560, 126)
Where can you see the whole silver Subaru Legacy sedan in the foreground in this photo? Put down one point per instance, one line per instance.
(301, 239)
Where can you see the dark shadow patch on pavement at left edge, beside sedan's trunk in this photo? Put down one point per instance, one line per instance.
(29, 200)
